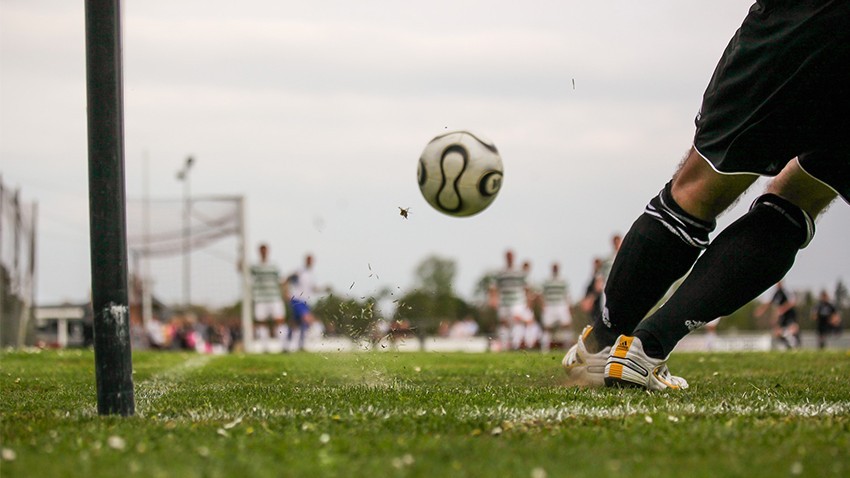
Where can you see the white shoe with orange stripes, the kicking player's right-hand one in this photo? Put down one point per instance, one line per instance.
(629, 366)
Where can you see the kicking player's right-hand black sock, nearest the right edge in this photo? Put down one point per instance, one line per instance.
(748, 257)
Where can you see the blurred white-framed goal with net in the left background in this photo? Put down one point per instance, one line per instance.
(189, 255)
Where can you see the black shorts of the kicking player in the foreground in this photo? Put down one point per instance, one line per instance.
(780, 91)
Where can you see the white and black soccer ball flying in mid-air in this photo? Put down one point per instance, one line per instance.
(460, 173)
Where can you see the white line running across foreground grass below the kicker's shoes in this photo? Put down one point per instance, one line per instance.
(548, 415)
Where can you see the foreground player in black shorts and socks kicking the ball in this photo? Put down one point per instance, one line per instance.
(776, 105)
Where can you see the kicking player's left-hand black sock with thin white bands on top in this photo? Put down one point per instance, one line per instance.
(660, 247)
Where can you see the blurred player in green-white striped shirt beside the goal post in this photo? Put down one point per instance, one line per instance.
(269, 310)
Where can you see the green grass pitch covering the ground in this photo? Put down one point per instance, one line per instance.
(419, 414)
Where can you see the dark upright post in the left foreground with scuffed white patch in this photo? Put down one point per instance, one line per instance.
(107, 210)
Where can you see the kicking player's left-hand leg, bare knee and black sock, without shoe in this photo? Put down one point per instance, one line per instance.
(663, 244)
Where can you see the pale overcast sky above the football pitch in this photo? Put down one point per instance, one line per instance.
(316, 112)
